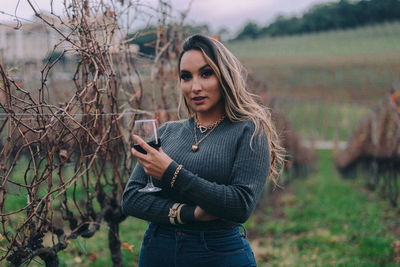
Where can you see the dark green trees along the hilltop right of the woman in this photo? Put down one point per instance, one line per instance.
(329, 16)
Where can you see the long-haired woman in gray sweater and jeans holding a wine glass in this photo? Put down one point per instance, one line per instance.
(211, 167)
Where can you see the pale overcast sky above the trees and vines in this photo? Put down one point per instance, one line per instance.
(231, 14)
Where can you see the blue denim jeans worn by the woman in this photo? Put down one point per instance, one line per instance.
(170, 247)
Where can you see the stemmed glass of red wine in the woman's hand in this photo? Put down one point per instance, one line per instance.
(147, 130)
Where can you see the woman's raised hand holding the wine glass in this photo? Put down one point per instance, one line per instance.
(155, 162)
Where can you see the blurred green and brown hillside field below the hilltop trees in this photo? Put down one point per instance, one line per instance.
(326, 82)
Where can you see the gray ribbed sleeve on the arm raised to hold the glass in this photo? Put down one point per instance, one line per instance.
(236, 201)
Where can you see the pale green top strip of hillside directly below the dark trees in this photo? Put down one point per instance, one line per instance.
(377, 39)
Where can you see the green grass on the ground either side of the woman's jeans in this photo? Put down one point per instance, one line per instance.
(325, 221)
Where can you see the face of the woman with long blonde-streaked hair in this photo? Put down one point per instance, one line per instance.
(200, 85)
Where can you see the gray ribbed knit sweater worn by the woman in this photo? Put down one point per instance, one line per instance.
(225, 176)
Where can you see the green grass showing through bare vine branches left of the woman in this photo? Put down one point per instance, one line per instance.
(83, 252)
